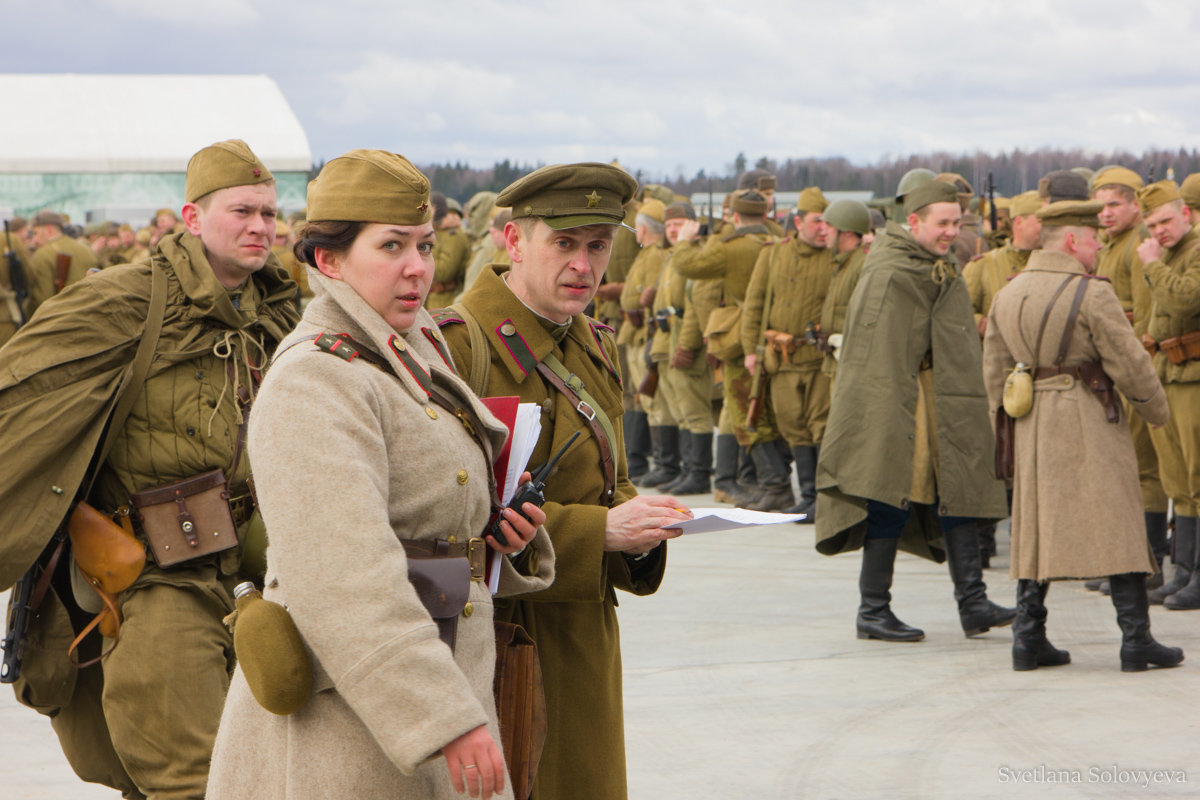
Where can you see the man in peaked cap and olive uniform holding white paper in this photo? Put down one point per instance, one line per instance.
(523, 332)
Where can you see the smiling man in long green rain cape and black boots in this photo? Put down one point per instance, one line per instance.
(909, 453)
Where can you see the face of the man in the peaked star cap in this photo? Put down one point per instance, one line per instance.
(557, 273)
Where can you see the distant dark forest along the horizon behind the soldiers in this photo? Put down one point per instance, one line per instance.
(1013, 172)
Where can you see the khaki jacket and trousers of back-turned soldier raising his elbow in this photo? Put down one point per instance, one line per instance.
(730, 258)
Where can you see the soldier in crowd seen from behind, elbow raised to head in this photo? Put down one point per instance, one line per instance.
(730, 258)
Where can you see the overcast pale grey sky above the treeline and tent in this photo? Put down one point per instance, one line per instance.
(664, 86)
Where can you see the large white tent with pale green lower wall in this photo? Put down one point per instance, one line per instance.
(86, 142)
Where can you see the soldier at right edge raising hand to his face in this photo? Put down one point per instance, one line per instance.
(1171, 262)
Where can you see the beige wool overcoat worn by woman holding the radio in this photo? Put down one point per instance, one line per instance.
(353, 460)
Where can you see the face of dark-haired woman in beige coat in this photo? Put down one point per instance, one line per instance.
(391, 267)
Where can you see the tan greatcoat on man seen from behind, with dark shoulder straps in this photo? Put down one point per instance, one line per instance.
(1077, 506)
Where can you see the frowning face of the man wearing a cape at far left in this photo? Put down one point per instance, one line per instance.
(237, 230)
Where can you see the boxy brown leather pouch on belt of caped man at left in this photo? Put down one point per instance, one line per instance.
(188, 520)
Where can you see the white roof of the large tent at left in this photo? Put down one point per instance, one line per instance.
(143, 124)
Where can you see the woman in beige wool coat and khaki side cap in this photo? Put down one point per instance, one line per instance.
(352, 458)
